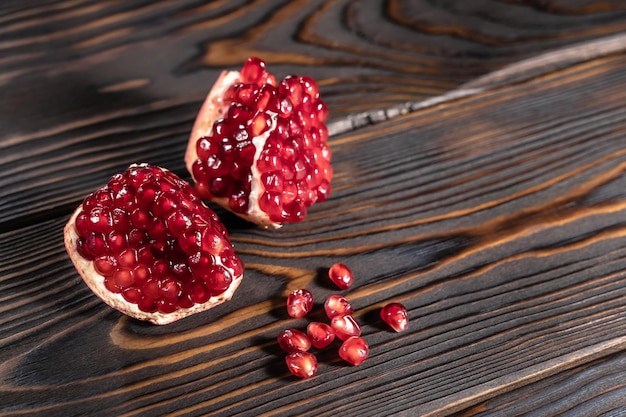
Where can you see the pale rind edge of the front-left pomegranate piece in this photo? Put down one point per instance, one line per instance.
(95, 282)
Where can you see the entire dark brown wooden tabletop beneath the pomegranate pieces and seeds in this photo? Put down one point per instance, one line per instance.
(479, 150)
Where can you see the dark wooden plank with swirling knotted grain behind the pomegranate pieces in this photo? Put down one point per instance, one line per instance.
(91, 88)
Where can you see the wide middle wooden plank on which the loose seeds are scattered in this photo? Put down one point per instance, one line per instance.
(498, 219)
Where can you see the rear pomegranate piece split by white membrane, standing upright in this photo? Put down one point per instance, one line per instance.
(259, 147)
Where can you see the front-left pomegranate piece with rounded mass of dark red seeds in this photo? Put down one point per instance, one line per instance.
(147, 245)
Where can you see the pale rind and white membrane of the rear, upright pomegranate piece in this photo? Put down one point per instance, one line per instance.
(213, 109)
